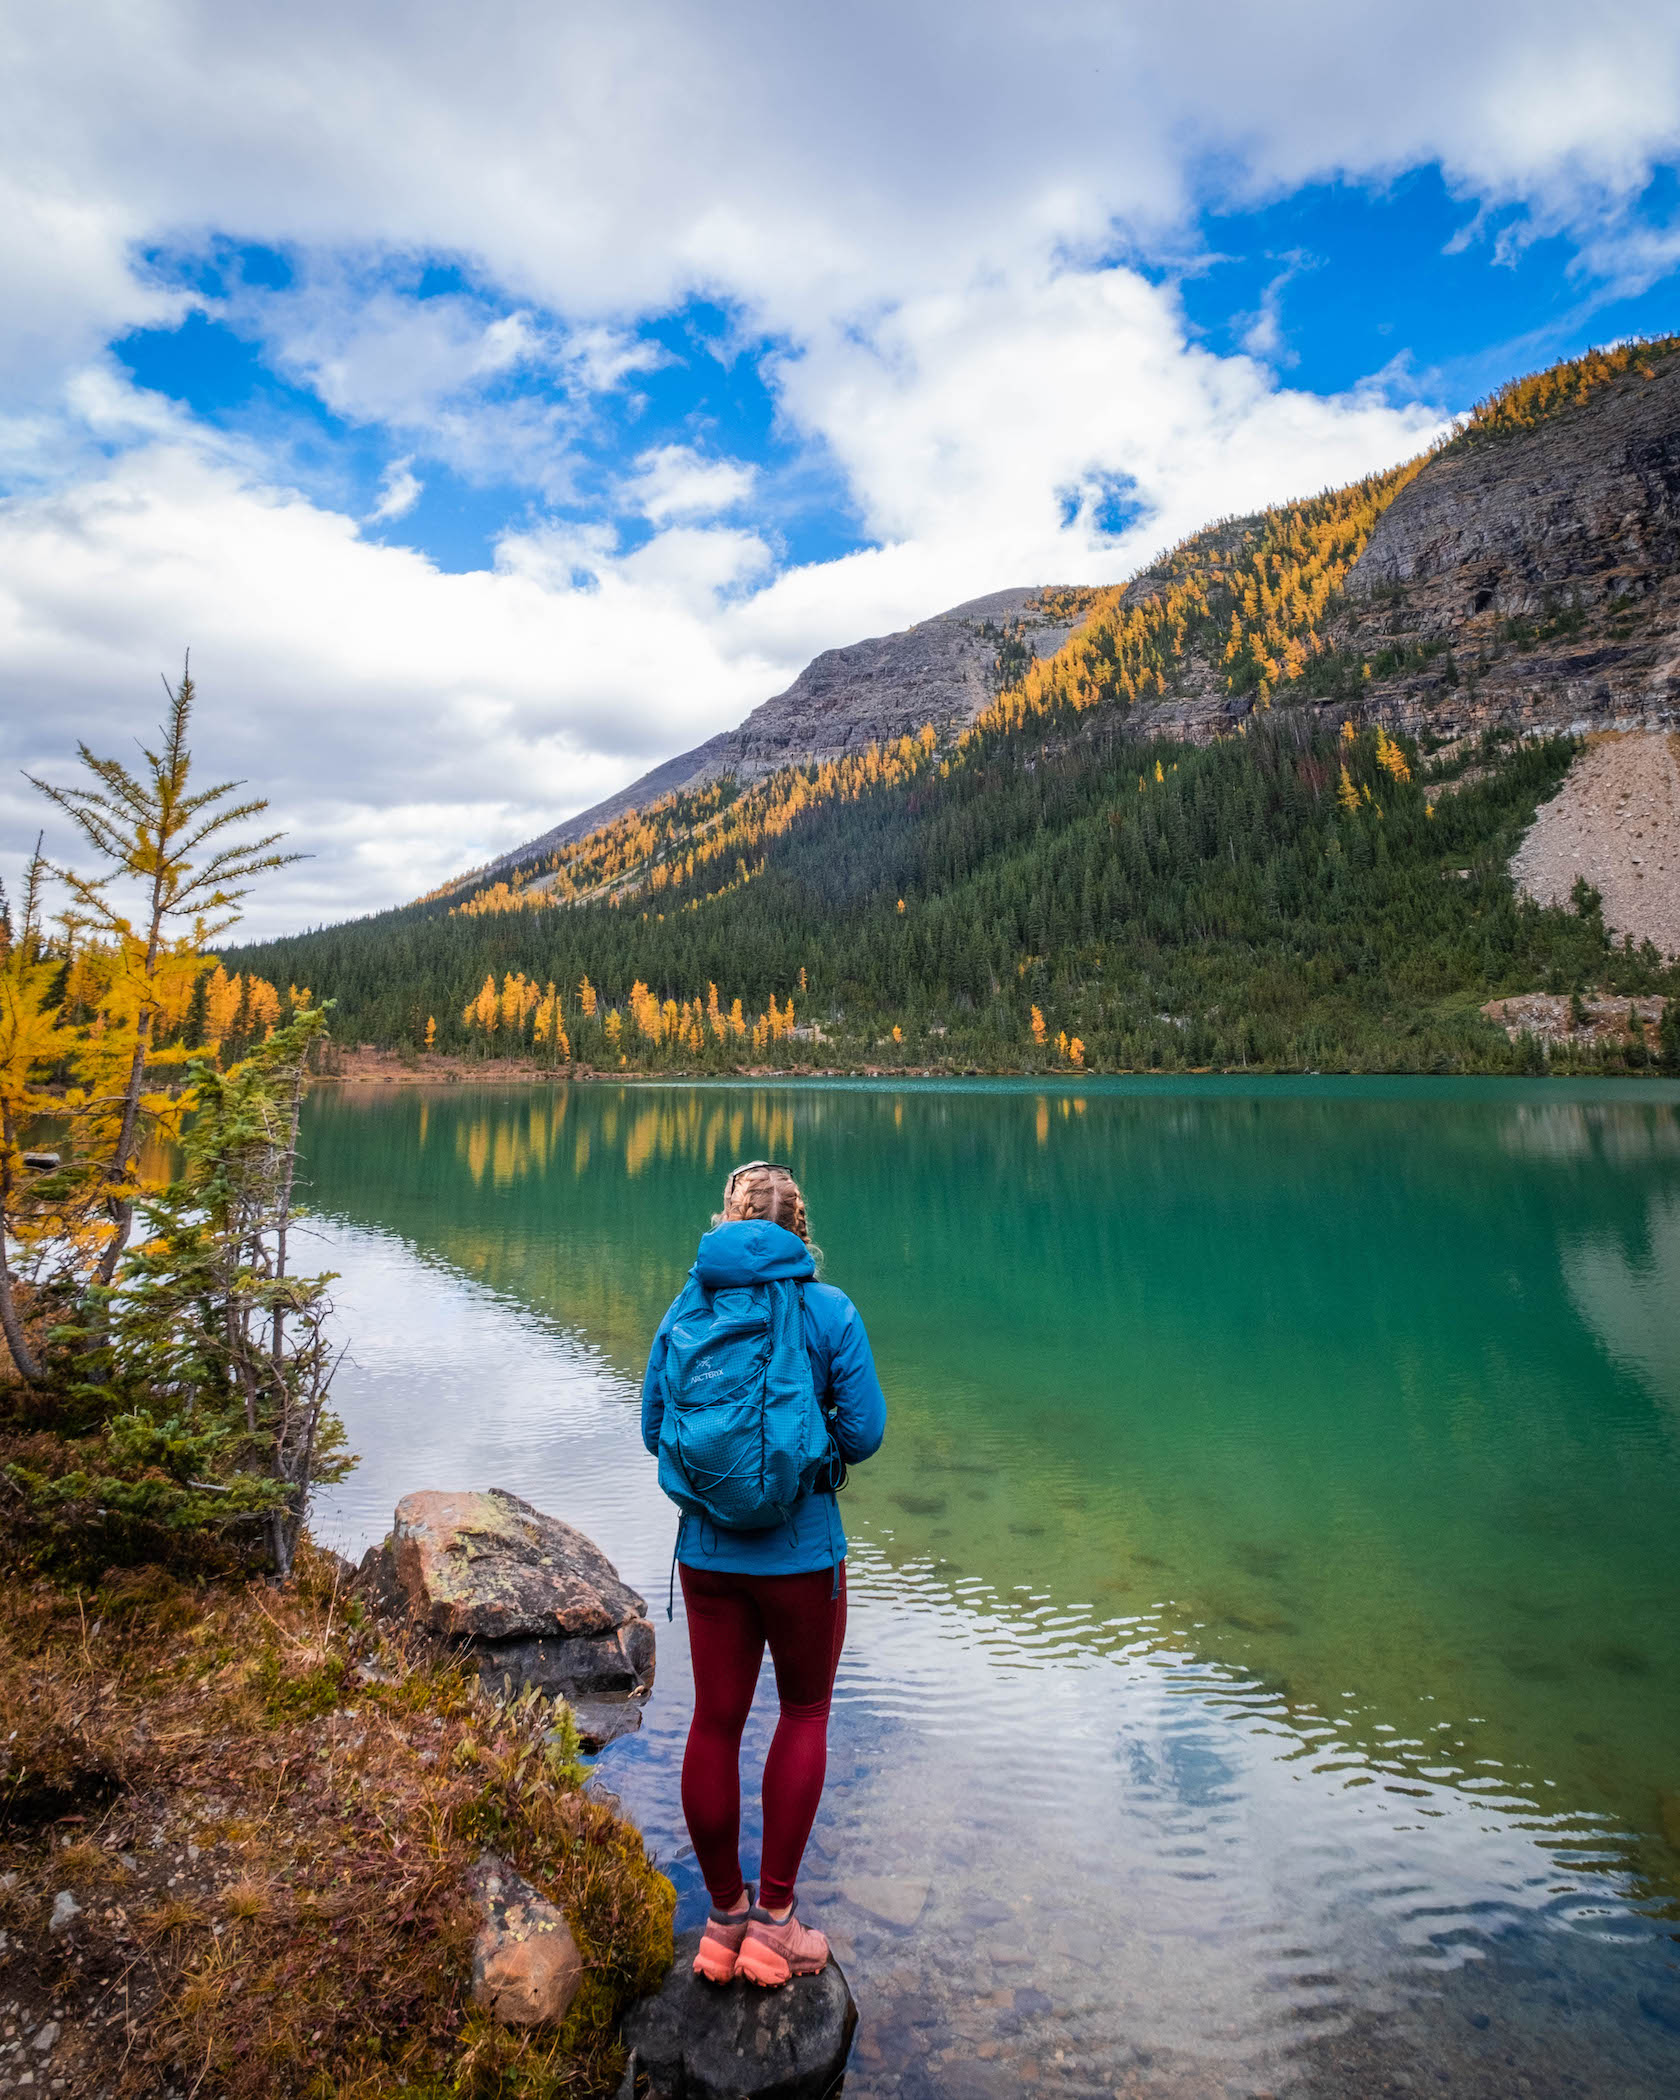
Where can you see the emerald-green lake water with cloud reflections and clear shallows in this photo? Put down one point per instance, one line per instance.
(1265, 1637)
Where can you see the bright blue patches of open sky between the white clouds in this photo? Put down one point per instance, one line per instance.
(1337, 287)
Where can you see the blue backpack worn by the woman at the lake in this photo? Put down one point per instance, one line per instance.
(744, 1433)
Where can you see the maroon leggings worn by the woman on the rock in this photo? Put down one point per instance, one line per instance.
(730, 1622)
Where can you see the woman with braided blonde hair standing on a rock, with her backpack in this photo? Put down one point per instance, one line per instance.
(759, 1393)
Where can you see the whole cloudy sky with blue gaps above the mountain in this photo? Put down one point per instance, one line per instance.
(499, 406)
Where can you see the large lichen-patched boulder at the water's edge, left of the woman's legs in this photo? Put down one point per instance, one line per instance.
(526, 1595)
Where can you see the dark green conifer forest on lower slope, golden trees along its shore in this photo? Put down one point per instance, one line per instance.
(1293, 898)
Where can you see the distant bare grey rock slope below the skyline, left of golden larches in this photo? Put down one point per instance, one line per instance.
(942, 671)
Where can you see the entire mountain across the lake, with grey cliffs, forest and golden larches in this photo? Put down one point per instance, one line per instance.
(1156, 826)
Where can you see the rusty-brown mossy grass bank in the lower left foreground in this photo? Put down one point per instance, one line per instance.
(266, 1811)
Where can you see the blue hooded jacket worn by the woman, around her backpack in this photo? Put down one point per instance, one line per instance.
(753, 1251)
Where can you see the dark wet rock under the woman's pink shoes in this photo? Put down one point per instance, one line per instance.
(734, 2042)
